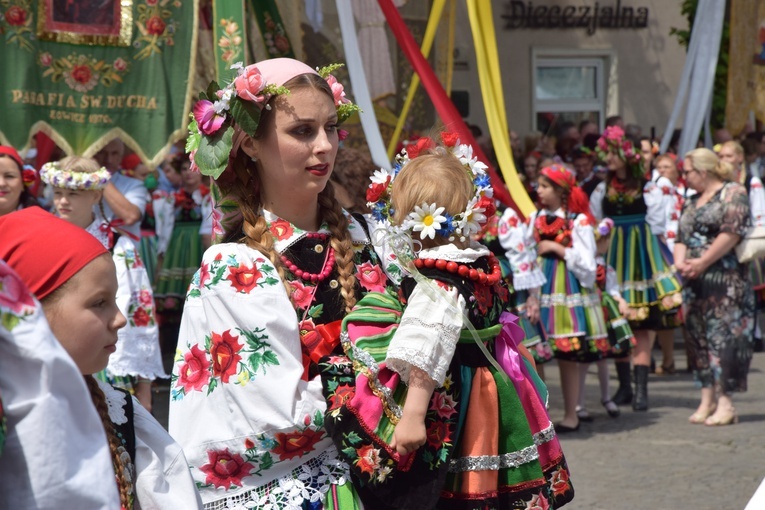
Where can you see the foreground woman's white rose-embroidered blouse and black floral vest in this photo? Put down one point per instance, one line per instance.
(245, 403)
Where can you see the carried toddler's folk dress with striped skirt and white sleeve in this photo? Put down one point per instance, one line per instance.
(490, 443)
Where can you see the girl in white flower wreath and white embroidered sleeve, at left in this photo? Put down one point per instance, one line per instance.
(77, 185)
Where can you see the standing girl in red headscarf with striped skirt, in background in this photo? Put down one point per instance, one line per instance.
(570, 312)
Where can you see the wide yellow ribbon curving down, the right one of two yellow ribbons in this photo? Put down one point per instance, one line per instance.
(482, 26)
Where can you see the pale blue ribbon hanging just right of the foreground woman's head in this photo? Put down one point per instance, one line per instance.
(359, 83)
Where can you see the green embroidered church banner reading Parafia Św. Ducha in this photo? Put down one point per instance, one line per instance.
(87, 71)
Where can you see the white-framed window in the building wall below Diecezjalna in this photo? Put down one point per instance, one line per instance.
(567, 88)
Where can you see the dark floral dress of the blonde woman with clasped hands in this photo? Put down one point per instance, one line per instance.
(720, 302)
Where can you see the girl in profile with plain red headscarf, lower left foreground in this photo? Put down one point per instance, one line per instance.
(76, 283)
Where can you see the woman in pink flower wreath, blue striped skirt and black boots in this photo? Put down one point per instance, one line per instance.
(638, 252)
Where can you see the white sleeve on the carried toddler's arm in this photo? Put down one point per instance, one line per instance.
(428, 333)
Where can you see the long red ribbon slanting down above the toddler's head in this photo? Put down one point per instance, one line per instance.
(446, 110)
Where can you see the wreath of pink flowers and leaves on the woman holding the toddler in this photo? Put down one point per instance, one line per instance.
(211, 130)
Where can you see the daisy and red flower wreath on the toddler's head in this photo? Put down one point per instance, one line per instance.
(430, 219)
